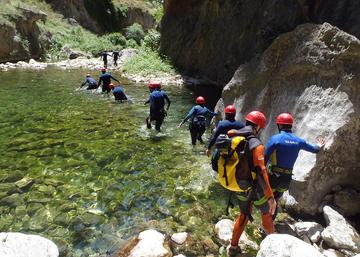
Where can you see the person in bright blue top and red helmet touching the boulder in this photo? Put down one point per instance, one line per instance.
(281, 153)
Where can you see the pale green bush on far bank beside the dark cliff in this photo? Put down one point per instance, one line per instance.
(148, 62)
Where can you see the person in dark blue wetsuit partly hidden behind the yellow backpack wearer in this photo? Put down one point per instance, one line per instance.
(224, 126)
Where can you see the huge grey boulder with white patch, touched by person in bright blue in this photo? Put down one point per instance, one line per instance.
(312, 73)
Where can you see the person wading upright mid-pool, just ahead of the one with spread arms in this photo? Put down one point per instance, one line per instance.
(157, 105)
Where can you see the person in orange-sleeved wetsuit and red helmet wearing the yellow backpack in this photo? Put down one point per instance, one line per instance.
(254, 186)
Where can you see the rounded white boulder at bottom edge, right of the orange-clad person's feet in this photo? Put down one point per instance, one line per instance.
(281, 245)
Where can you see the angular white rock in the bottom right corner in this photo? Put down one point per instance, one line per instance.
(339, 234)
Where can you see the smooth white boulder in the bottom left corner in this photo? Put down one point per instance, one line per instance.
(21, 245)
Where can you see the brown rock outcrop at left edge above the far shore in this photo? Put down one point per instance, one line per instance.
(20, 36)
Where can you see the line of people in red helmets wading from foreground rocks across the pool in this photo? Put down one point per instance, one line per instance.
(270, 167)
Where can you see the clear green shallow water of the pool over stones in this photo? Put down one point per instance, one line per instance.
(94, 175)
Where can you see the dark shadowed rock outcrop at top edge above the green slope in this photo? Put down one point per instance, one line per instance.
(101, 16)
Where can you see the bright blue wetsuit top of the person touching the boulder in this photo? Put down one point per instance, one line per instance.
(283, 149)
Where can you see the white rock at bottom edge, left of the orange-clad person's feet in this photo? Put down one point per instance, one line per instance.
(151, 244)
